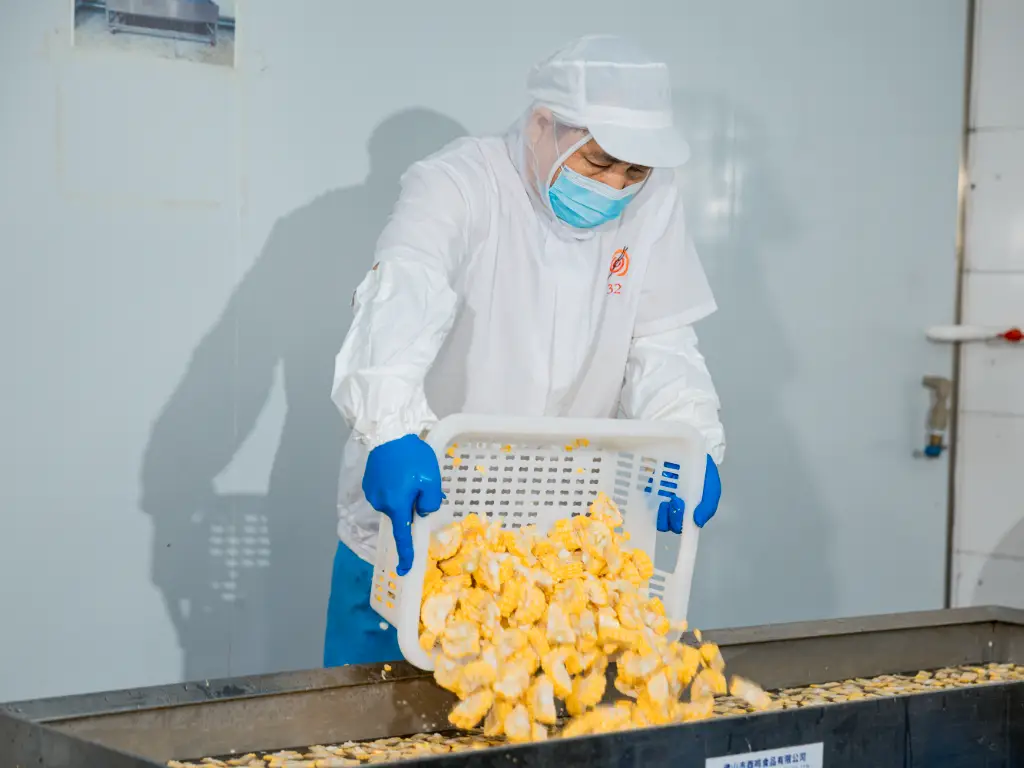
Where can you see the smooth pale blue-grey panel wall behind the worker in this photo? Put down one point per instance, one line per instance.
(180, 244)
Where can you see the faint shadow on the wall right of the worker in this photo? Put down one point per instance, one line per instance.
(765, 558)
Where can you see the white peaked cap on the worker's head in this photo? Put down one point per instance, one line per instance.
(622, 96)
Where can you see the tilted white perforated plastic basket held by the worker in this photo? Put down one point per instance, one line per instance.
(519, 471)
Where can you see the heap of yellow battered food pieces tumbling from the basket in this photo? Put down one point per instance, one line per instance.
(518, 621)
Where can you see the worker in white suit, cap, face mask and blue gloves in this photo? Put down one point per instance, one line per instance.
(547, 273)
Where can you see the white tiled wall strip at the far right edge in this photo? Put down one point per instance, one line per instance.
(989, 566)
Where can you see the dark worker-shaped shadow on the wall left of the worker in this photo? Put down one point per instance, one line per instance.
(246, 578)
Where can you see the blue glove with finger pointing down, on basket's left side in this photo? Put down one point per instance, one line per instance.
(402, 476)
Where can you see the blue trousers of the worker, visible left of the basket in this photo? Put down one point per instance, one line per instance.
(354, 629)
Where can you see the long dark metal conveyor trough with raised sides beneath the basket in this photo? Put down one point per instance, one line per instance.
(983, 726)
